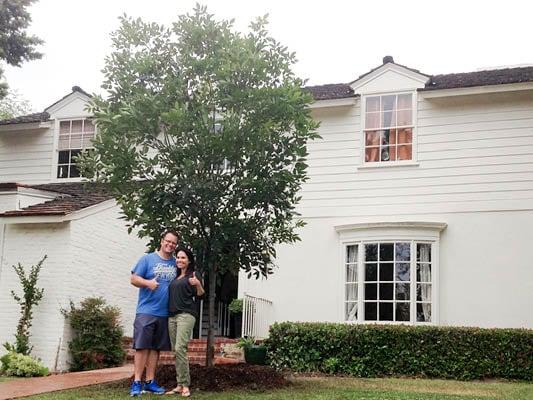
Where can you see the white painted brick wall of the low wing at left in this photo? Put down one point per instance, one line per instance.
(89, 257)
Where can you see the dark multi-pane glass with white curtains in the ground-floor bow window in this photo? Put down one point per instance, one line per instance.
(394, 280)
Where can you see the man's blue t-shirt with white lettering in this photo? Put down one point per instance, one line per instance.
(152, 266)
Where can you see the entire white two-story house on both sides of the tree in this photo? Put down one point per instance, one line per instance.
(419, 210)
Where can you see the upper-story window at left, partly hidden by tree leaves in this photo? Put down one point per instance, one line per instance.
(74, 136)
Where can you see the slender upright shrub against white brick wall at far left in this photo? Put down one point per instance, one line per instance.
(31, 297)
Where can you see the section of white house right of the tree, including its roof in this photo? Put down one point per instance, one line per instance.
(419, 206)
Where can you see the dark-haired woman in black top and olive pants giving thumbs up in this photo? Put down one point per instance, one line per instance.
(183, 294)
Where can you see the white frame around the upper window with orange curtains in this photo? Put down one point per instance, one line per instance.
(414, 149)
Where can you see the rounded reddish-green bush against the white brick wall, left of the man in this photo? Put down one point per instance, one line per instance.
(98, 335)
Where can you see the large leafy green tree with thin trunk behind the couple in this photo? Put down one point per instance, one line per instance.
(205, 129)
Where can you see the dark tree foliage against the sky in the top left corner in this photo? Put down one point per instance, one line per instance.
(16, 46)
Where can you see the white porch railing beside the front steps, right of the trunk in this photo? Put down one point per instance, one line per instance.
(257, 314)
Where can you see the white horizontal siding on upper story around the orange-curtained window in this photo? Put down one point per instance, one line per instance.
(474, 153)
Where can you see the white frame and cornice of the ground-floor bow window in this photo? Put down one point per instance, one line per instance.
(413, 232)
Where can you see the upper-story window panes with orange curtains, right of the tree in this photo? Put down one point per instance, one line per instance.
(388, 128)
